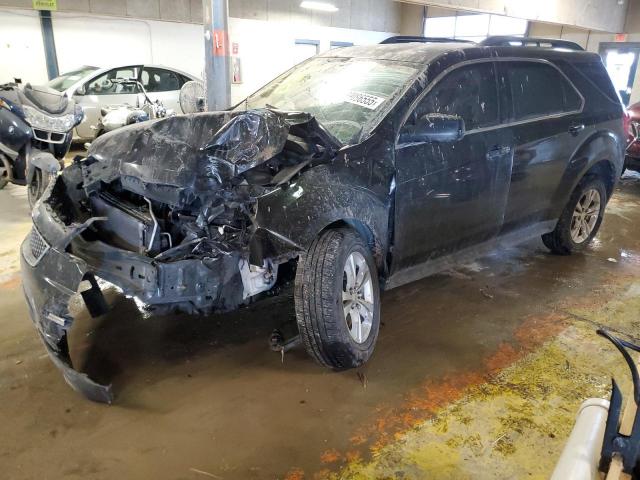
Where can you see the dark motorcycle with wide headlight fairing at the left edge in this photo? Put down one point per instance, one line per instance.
(36, 129)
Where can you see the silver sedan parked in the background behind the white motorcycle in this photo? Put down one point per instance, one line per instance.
(94, 89)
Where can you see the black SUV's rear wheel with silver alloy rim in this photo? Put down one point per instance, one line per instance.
(580, 219)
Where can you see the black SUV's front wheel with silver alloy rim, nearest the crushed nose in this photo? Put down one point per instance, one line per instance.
(337, 299)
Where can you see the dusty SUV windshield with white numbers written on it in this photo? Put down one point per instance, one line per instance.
(346, 95)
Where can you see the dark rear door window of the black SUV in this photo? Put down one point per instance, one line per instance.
(538, 90)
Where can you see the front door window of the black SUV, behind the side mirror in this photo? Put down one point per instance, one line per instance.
(469, 92)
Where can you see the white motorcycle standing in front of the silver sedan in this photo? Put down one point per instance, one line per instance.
(116, 116)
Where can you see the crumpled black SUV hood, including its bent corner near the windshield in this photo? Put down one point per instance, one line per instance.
(179, 158)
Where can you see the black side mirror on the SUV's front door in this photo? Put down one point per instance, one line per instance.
(434, 127)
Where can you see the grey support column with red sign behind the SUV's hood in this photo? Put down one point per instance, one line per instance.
(217, 75)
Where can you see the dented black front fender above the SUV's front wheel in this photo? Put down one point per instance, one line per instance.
(287, 220)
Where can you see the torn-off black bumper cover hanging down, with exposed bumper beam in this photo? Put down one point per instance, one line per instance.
(51, 276)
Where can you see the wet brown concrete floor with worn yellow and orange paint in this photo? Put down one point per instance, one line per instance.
(478, 373)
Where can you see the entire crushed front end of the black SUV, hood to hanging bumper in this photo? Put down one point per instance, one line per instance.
(166, 211)
